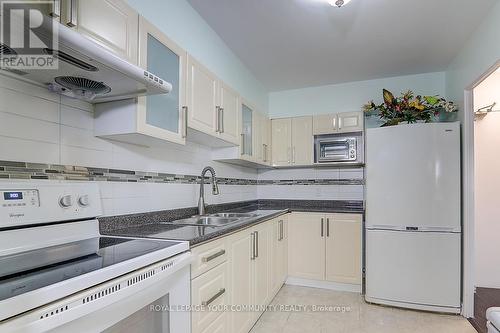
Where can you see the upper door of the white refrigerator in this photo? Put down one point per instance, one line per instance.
(413, 177)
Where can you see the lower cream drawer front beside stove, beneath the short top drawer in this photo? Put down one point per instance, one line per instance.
(209, 289)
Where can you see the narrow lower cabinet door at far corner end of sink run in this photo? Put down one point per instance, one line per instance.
(279, 255)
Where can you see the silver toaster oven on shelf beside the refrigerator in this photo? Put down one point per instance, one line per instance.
(336, 150)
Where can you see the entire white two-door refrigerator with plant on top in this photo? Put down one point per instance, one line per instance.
(413, 225)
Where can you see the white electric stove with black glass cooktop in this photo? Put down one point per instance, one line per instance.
(58, 274)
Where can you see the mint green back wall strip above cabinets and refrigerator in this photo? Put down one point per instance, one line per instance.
(349, 96)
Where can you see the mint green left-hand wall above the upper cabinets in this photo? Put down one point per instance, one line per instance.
(180, 22)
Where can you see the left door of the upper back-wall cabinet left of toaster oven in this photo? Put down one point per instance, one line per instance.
(281, 140)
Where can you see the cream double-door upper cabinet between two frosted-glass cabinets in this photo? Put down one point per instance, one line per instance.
(213, 108)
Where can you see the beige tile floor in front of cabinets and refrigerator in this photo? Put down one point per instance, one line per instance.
(362, 317)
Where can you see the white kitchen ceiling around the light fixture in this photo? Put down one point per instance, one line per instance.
(299, 43)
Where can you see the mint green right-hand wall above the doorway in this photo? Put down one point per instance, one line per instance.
(480, 52)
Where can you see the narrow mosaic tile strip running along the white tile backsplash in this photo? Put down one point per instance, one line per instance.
(26, 170)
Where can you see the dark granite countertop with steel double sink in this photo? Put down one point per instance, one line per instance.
(153, 225)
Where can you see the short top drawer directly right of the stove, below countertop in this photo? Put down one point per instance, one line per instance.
(208, 256)
